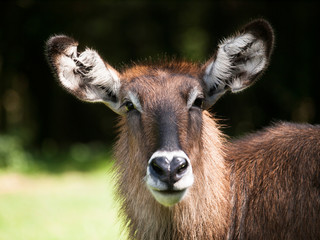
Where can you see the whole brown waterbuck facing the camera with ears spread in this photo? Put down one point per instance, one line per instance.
(177, 175)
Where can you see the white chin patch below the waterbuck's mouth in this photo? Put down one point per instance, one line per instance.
(168, 199)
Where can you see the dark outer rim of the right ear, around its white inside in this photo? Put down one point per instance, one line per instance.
(259, 28)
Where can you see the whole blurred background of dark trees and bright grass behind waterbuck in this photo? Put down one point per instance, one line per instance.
(52, 145)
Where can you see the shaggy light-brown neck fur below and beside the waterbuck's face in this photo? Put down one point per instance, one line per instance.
(203, 214)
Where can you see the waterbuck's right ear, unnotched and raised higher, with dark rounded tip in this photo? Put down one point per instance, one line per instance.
(239, 60)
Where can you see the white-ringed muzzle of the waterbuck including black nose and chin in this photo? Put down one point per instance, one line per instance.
(169, 175)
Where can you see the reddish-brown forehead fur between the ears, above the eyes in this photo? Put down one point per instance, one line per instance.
(162, 82)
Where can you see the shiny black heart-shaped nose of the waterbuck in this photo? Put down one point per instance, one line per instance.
(168, 172)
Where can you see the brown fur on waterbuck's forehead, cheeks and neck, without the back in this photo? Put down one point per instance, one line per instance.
(146, 218)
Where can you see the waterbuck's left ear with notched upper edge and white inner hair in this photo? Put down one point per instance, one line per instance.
(85, 74)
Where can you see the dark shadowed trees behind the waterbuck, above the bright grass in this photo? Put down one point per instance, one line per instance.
(34, 108)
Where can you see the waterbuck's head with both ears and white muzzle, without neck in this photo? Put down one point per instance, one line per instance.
(162, 105)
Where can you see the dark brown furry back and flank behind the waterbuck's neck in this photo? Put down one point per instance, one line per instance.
(276, 180)
